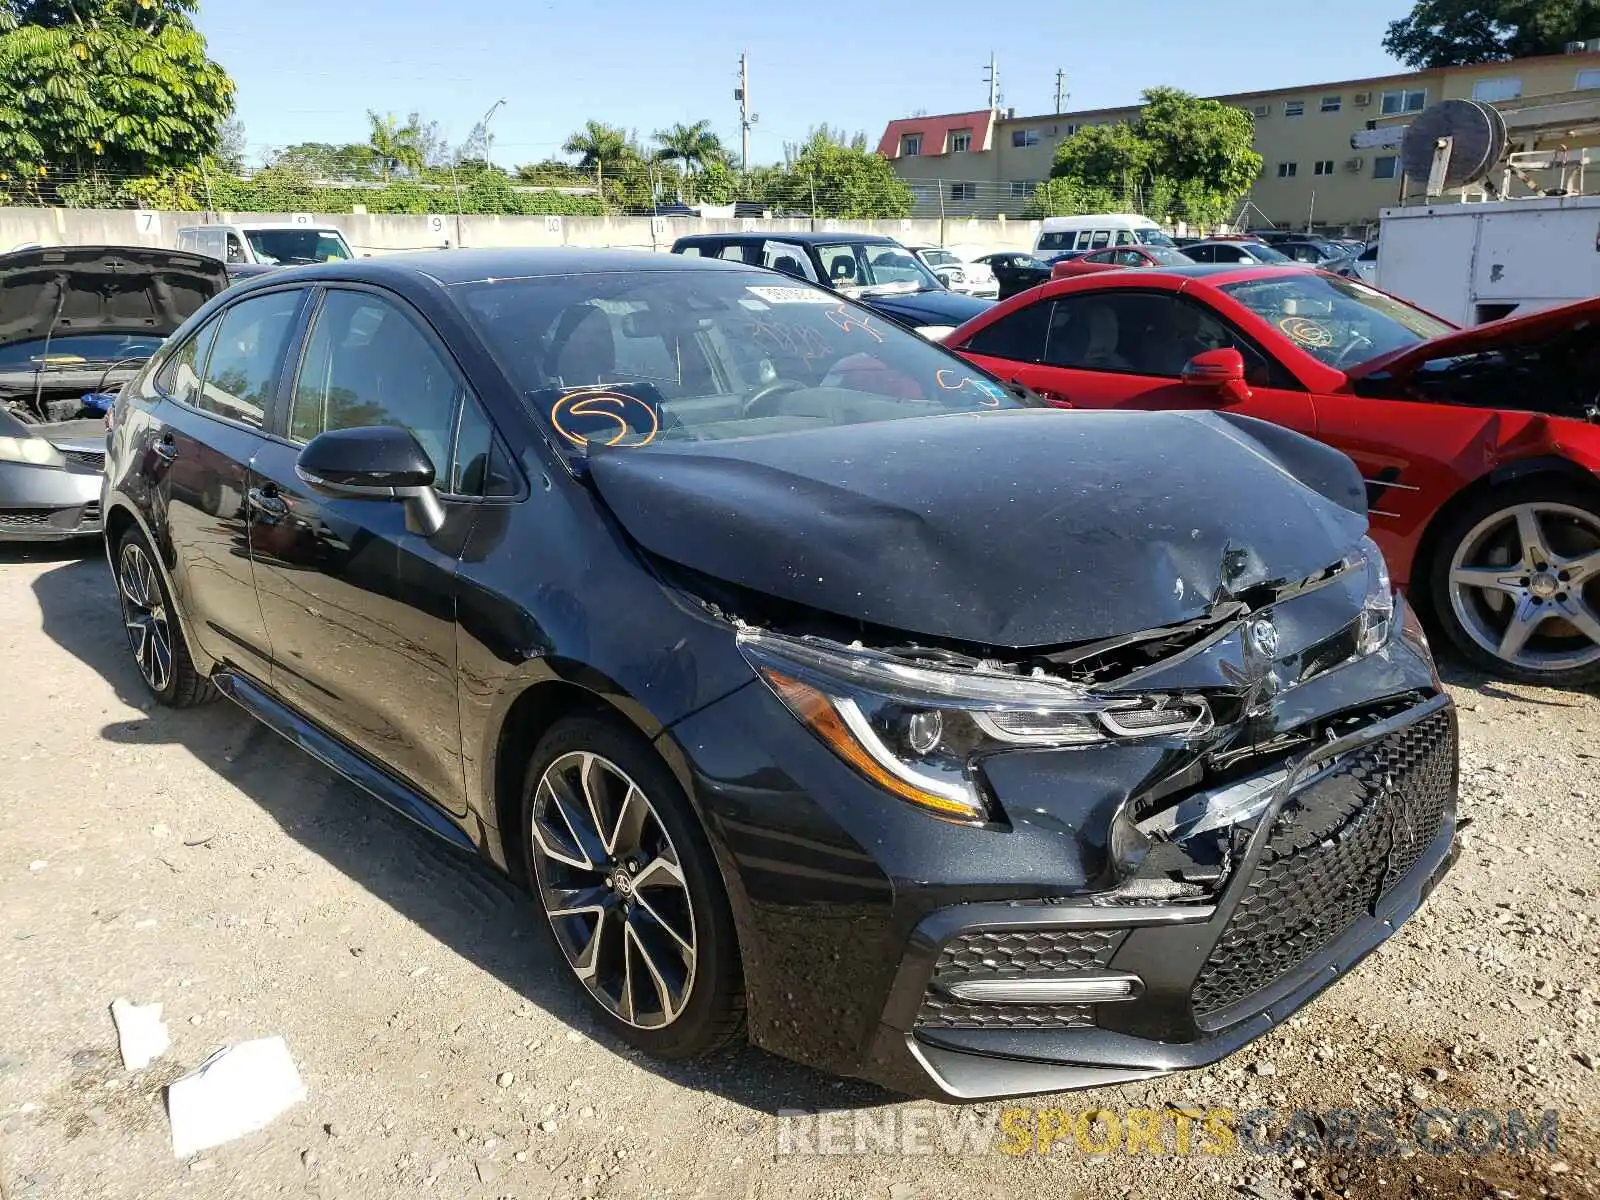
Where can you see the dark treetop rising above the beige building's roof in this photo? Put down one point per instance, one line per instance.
(1458, 33)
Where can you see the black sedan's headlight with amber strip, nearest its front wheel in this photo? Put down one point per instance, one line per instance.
(918, 730)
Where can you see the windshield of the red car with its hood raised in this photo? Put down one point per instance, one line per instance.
(1335, 319)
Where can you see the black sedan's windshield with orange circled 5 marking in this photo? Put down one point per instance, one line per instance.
(626, 359)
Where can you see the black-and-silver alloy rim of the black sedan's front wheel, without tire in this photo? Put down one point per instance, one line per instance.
(614, 889)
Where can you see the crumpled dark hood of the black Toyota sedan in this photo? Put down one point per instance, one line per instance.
(1012, 529)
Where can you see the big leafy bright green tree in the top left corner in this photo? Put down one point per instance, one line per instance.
(106, 90)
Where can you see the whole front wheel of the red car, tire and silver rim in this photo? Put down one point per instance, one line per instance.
(1516, 585)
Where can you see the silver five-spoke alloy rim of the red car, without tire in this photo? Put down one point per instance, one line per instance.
(1526, 586)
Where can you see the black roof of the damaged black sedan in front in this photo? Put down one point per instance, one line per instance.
(471, 266)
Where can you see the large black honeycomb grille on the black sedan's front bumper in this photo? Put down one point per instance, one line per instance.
(1335, 850)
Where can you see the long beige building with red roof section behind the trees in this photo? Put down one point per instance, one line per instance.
(991, 162)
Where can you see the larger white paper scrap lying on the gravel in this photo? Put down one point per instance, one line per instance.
(236, 1092)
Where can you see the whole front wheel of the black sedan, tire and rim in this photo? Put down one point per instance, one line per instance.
(628, 884)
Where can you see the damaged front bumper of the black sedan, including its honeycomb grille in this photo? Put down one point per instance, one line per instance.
(1212, 887)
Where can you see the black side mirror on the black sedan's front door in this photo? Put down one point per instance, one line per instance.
(375, 463)
